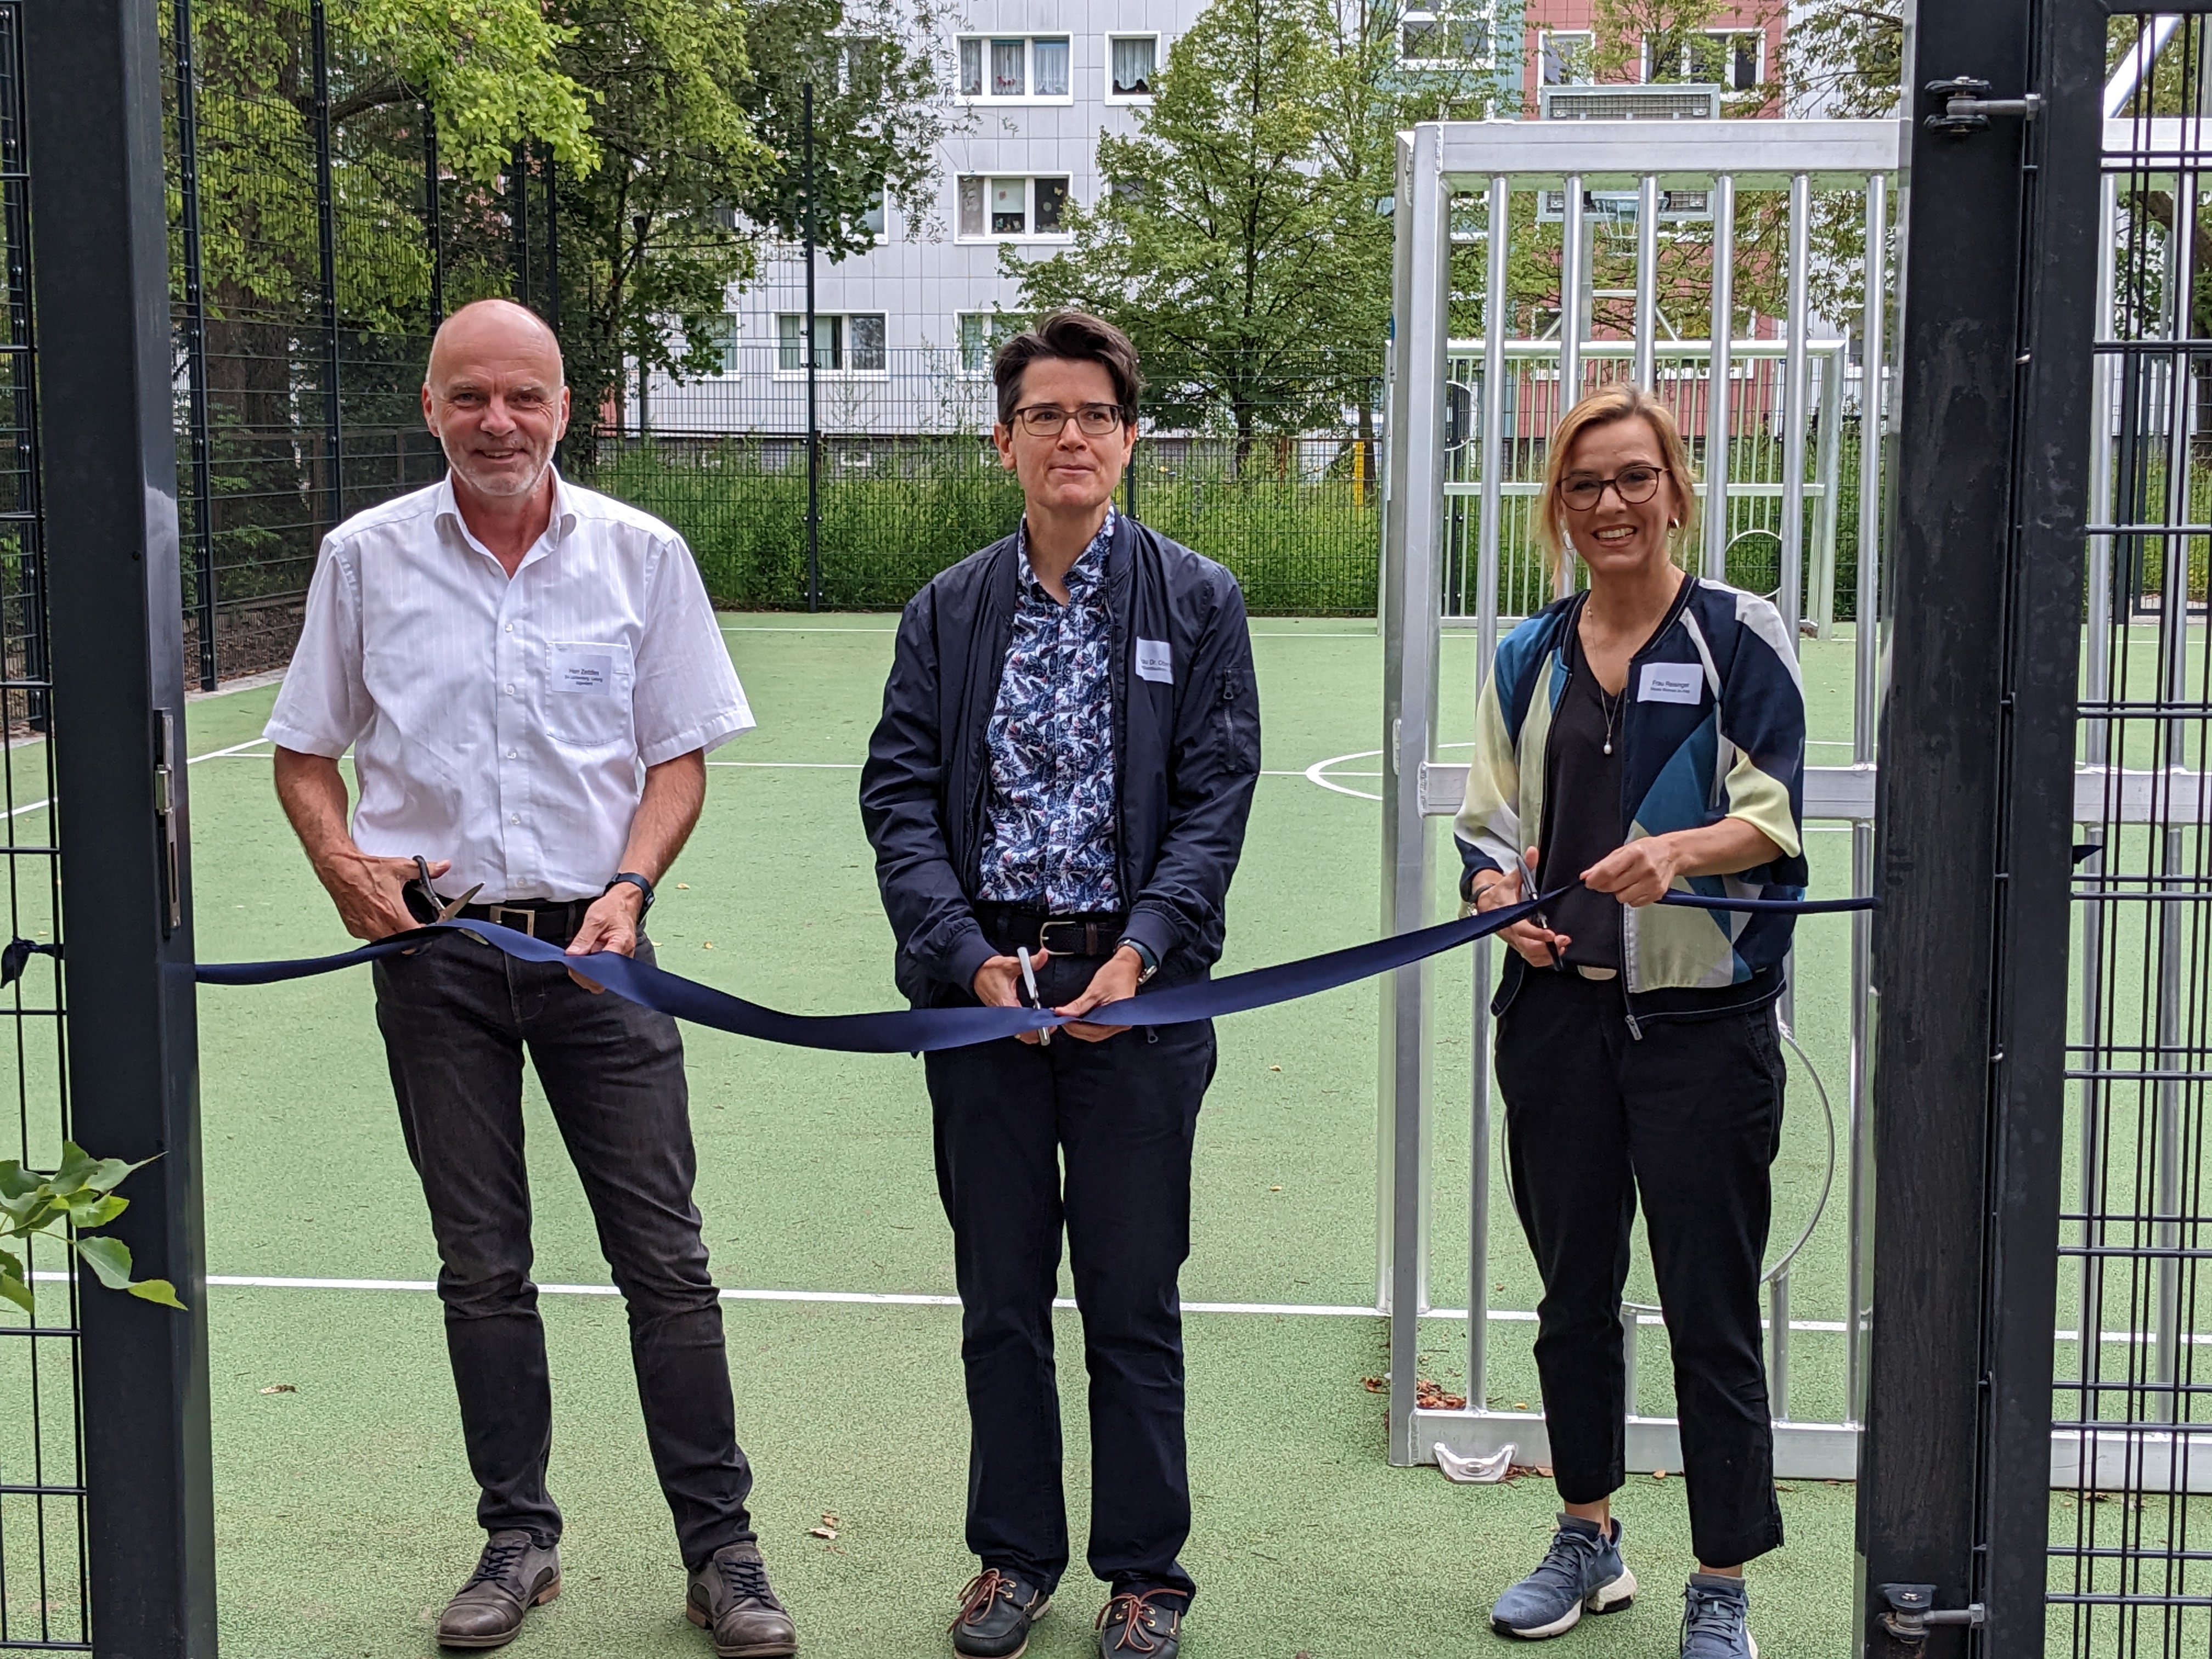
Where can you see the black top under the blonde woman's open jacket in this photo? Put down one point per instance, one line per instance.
(1583, 811)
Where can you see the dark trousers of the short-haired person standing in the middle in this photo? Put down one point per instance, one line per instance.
(1123, 1118)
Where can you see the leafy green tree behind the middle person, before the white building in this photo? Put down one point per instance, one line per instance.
(1244, 238)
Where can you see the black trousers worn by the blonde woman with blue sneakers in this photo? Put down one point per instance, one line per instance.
(1691, 1118)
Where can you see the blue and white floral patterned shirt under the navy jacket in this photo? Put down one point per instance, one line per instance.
(1052, 813)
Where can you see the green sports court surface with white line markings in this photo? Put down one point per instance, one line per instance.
(344, 1505)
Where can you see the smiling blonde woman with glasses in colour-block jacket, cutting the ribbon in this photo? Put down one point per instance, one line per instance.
(1642, 735)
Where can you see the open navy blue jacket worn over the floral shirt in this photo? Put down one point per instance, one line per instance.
(1187, 755)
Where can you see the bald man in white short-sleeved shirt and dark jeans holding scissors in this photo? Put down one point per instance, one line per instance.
(530, 678)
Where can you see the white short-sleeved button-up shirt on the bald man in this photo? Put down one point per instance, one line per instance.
(505, 722)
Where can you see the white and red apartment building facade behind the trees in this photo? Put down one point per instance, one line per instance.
(904, 331)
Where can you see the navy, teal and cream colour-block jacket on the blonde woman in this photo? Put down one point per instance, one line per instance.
(1713, 729)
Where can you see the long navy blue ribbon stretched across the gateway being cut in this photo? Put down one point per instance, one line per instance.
(924, 1030)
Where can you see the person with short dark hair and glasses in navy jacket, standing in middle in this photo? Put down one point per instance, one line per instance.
(1058, 795)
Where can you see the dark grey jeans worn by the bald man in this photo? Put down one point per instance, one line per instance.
(457, 1019)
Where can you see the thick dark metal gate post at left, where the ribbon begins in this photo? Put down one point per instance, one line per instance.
(101, 282)
